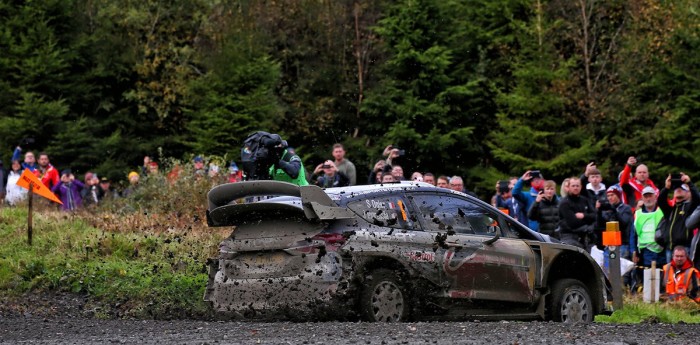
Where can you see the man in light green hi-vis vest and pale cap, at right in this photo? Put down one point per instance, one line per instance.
(646, 220)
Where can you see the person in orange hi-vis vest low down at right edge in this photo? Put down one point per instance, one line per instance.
(682, 279)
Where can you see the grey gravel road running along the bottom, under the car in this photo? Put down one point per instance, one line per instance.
(38, 330)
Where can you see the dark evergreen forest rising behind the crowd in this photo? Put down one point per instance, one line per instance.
(480, 88)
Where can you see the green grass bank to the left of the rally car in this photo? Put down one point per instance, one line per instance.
(145, 273)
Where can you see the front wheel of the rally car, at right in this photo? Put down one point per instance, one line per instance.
(571, 302)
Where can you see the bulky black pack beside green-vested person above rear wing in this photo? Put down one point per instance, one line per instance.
(258, 154)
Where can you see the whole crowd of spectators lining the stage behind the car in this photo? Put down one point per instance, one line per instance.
(657, 225)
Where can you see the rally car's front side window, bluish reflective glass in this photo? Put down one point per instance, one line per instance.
(442, 212)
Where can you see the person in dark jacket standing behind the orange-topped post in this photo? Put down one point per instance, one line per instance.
(616, 211)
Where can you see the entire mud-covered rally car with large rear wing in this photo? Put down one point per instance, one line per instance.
(389, 252)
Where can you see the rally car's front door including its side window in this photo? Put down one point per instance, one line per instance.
(476, 264)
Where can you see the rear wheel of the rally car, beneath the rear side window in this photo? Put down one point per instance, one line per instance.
(384, 298)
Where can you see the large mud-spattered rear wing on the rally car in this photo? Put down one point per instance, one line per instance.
(224, 211)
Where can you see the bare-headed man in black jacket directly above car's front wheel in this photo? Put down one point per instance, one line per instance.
(576, 216)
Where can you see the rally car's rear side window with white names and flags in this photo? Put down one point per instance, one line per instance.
(389, 211)
